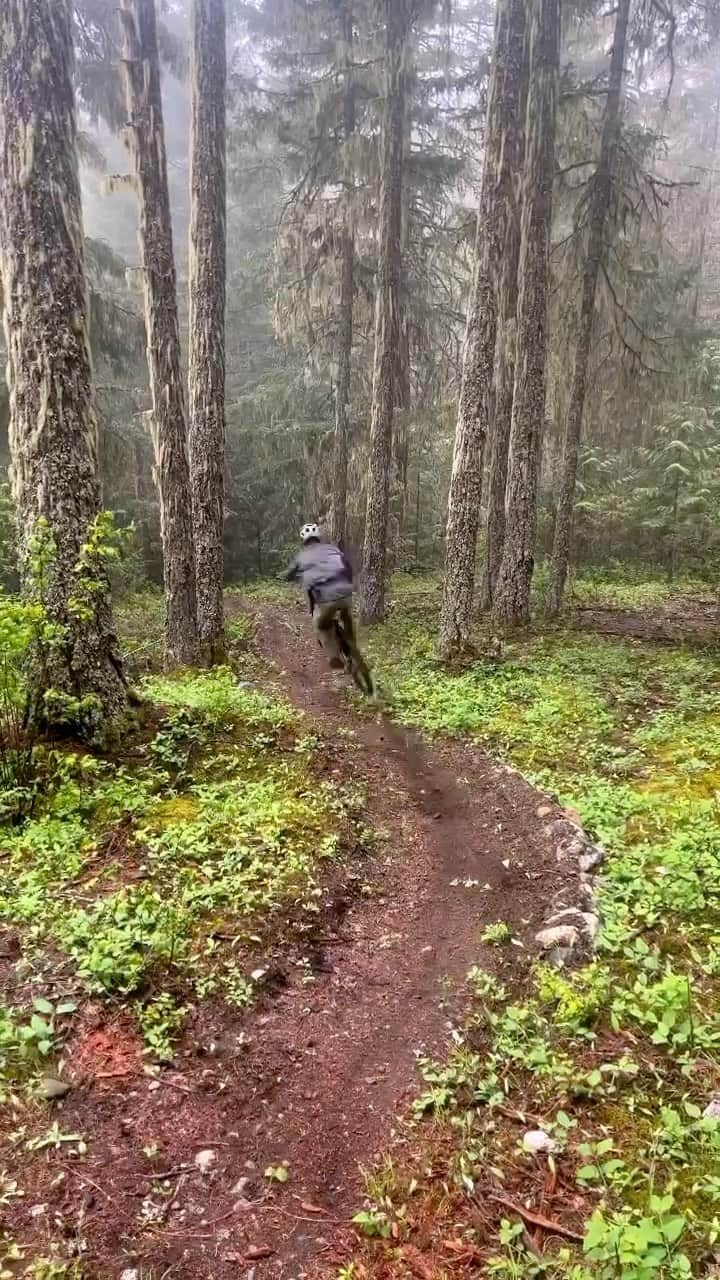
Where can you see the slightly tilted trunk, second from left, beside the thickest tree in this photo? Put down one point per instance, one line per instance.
(170, 426)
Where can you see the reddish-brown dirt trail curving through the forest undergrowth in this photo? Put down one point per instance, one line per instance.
(318, 1075)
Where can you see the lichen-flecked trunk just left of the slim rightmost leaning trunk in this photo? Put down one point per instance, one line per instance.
(512, 602)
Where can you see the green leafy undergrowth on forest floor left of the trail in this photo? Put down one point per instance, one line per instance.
(153, 881)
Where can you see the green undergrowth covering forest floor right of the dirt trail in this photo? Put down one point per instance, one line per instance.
(617, 1064)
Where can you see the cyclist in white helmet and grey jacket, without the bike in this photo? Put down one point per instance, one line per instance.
(327, 578)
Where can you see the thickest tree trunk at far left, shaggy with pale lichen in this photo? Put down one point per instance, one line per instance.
(53, 431)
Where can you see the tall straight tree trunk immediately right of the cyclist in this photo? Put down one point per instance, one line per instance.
(388, 317)
